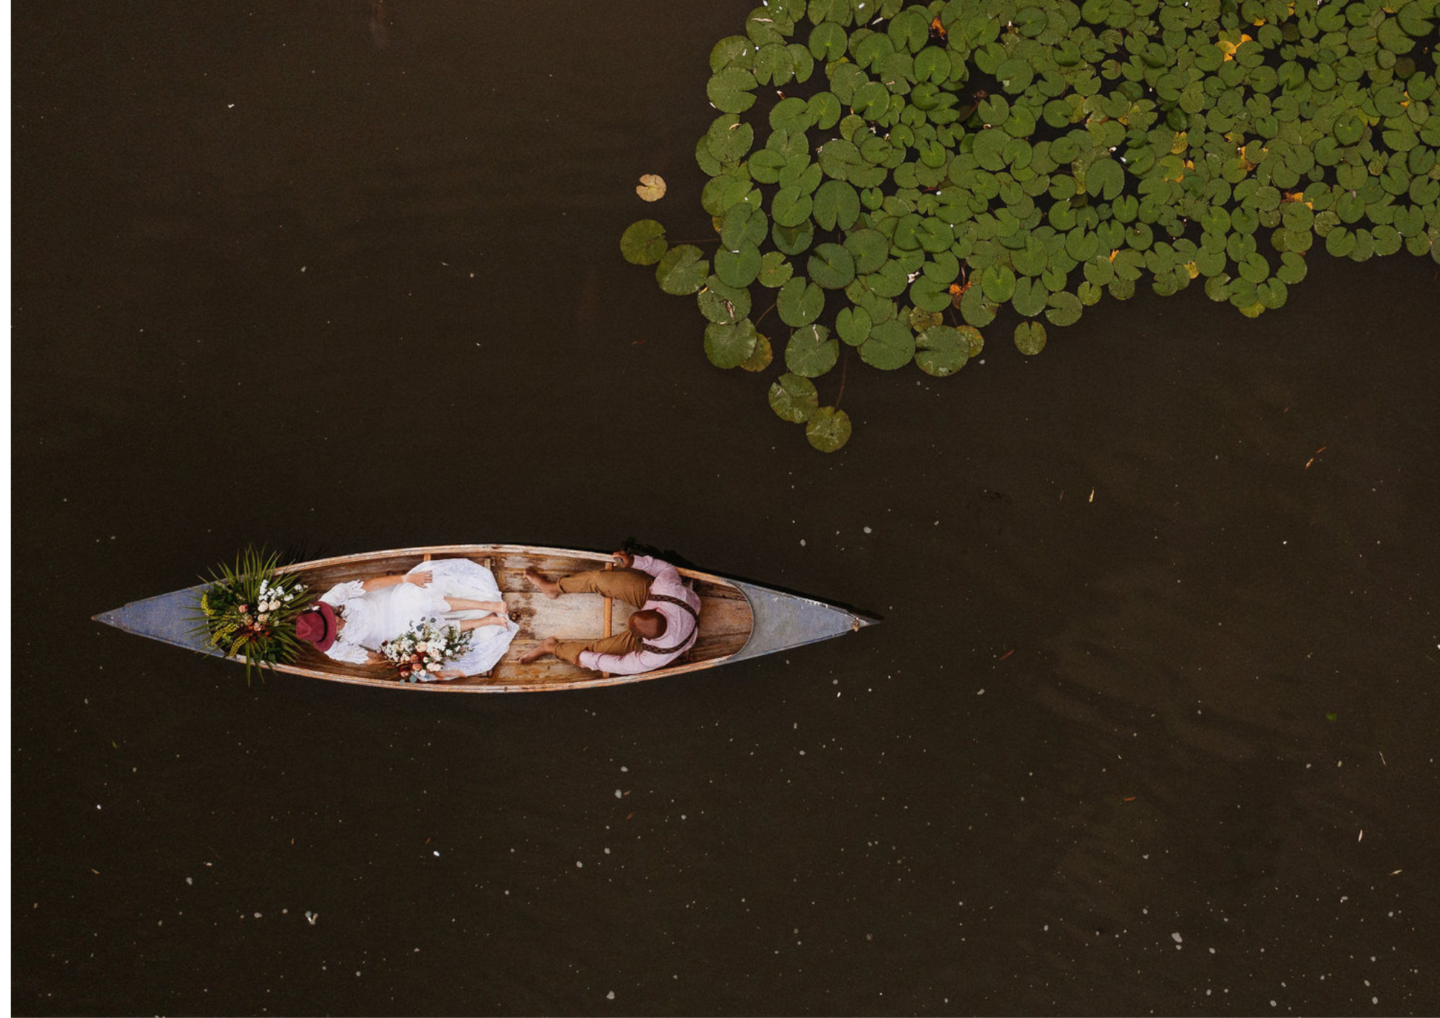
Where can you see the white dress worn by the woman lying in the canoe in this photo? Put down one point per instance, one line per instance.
(372, 617)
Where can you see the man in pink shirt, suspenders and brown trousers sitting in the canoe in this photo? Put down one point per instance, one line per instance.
(662, 630)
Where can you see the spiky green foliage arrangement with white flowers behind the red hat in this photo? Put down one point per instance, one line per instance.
(251, 608)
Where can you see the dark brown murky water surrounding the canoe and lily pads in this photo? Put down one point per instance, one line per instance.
(270, 256)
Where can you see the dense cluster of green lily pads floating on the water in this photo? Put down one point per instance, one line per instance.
(964, 156)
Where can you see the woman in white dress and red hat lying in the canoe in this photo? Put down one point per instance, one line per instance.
(352, 620)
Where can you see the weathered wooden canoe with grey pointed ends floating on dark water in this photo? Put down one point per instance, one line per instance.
(738, 620)
